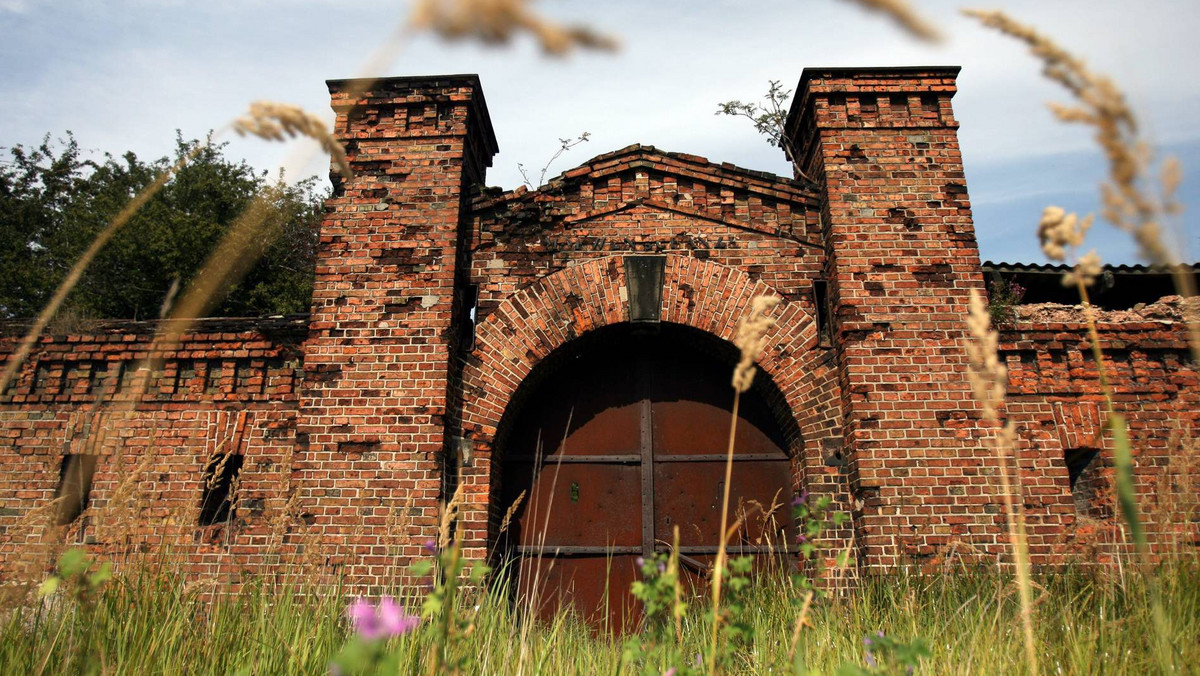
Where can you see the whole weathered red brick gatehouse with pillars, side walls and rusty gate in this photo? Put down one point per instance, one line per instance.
(569, 349)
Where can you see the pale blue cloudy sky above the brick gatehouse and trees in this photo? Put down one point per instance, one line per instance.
(124, 75)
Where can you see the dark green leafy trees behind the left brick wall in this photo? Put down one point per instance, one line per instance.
(53, 202)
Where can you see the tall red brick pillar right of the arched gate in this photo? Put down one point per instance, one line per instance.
(902, 259)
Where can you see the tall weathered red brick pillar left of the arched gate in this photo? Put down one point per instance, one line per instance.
(373, 427)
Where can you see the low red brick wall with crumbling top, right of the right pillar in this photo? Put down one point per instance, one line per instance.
(1055, 397)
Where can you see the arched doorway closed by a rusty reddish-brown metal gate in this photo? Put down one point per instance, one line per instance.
(616, 440)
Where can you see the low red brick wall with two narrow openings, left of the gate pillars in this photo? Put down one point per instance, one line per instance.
(229, 387)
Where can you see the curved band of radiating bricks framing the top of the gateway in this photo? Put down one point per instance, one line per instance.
(535, 322)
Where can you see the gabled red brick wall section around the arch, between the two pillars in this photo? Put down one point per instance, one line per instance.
(550, 267)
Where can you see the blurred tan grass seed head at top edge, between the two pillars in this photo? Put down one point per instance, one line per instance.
(499, 21)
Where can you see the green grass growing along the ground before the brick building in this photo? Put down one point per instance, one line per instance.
(146, 623)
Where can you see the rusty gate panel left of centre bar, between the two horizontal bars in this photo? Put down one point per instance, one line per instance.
(583, 504)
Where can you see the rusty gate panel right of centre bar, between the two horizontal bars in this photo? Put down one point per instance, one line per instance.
(689, 495)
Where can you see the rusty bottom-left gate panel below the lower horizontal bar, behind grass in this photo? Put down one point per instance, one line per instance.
(595, 587)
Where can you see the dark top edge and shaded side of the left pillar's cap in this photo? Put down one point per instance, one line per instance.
(407, 87)
